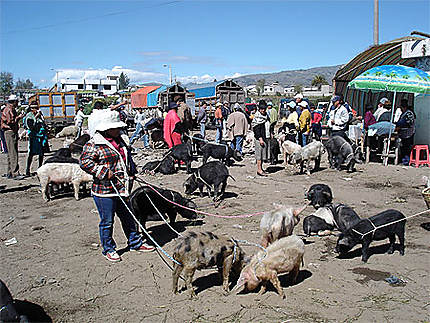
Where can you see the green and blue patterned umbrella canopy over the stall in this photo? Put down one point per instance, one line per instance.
(394, 78)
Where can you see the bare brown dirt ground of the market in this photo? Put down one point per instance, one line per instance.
(57, 262)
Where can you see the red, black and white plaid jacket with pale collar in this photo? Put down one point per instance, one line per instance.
(98, 157)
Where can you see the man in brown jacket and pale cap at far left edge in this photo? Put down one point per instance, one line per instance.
(10, 126)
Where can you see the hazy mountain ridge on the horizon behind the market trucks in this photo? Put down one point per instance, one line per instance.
(289, 78)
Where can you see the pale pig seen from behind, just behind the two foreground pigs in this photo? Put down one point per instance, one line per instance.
(278, 223)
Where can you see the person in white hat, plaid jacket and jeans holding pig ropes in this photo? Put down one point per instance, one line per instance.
(107, 157)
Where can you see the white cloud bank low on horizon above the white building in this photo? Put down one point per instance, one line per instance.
(97, 74)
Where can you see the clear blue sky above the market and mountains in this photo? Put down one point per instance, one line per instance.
(201, 40)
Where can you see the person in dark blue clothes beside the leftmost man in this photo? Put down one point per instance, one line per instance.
(37, 136)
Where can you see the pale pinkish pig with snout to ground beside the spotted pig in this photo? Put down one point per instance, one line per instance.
(283, 256)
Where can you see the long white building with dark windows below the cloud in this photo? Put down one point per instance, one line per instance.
(108, 86)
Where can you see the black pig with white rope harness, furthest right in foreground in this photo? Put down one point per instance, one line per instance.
(387, 224)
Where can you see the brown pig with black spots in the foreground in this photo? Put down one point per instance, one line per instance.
(198, 250)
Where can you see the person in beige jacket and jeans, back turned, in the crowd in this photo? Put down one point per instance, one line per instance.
(237, 125)
